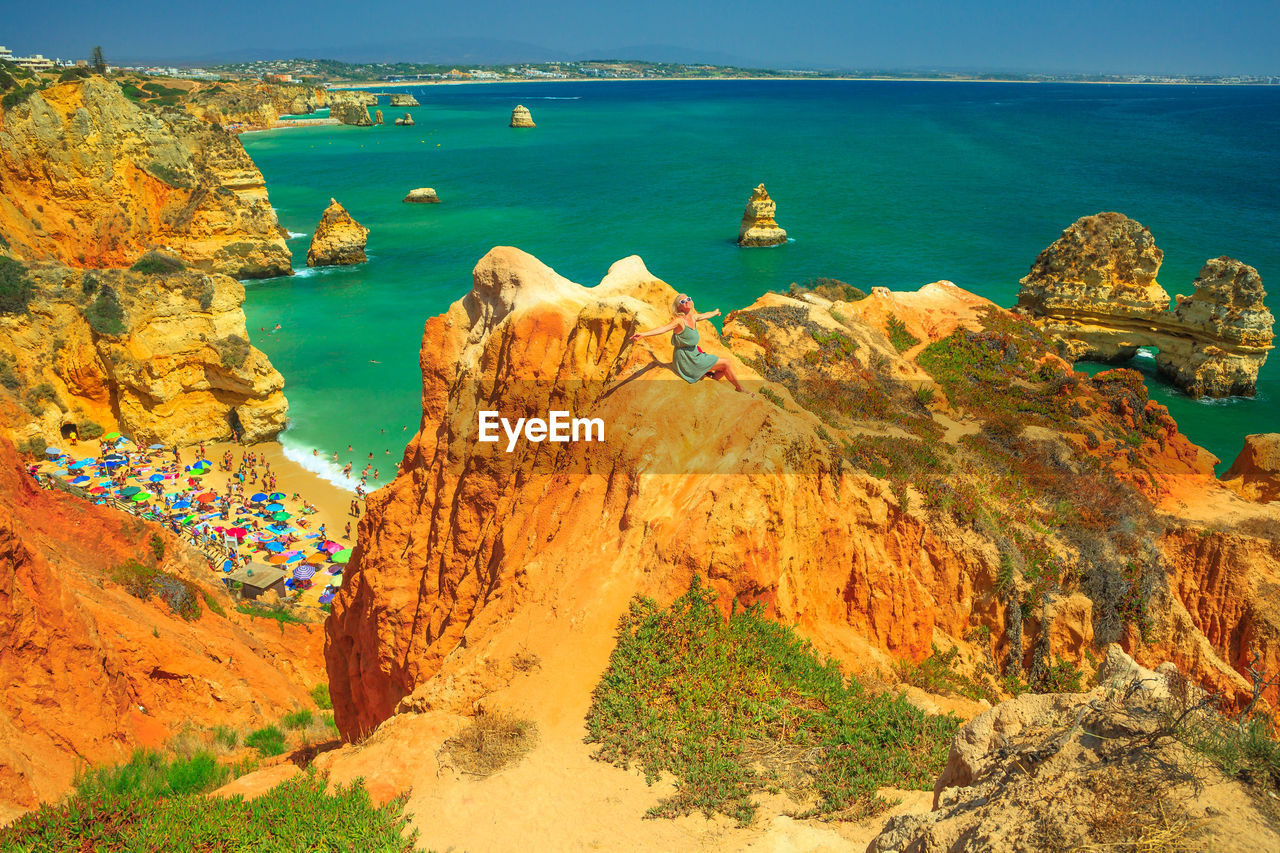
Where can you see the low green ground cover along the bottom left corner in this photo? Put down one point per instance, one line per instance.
(296, 816)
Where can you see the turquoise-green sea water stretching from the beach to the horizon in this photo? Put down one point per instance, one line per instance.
(893, 184)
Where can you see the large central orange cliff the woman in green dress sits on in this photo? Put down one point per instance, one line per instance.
(474, 555)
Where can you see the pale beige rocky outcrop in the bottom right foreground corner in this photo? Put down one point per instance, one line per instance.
(1085, 772)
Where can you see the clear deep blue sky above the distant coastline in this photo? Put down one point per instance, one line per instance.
(1118, 37)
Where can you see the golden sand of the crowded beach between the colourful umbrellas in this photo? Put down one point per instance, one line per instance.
(332, 504)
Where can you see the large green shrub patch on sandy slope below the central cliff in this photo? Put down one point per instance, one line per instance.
(730, 708)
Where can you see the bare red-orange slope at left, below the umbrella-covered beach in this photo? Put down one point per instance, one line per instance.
(90, 673)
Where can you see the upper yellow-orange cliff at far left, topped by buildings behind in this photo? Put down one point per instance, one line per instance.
(90, 180)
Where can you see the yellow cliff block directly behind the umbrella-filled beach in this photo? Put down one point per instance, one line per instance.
(177, 368)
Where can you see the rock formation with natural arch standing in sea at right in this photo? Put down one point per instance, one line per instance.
(1096, 290)
